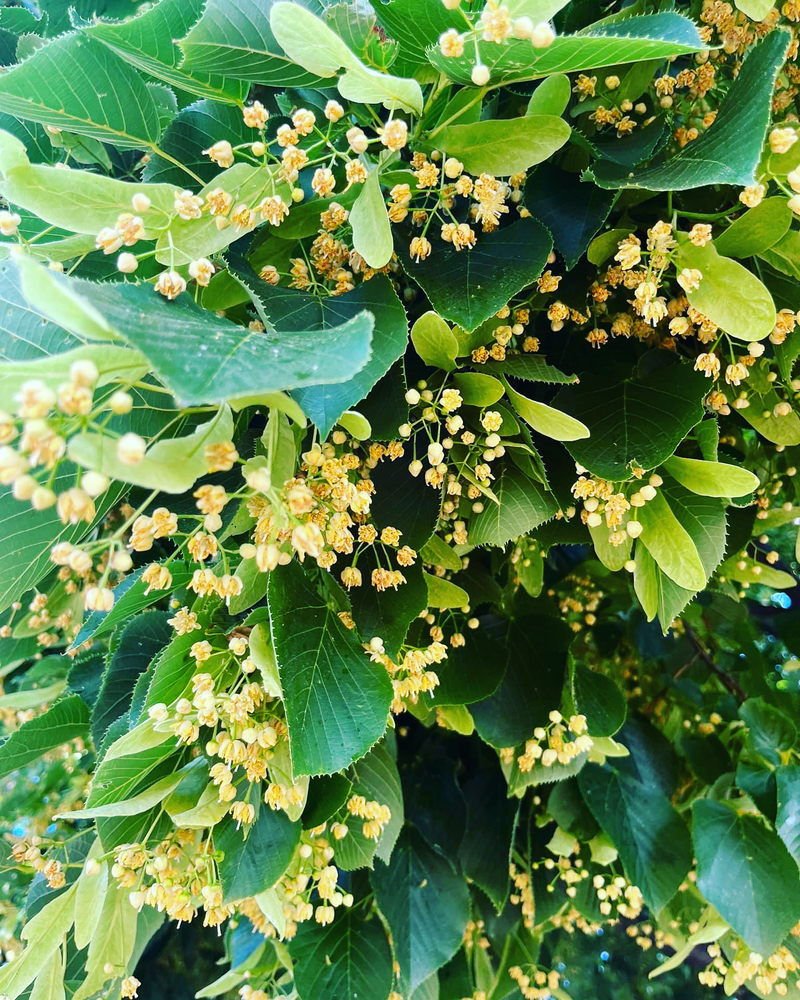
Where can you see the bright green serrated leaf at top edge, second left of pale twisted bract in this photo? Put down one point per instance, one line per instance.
(148, 41)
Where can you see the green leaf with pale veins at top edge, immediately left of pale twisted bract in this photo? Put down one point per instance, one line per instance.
(235, 39)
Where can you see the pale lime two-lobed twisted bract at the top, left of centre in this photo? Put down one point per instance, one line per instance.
(310, 42)
